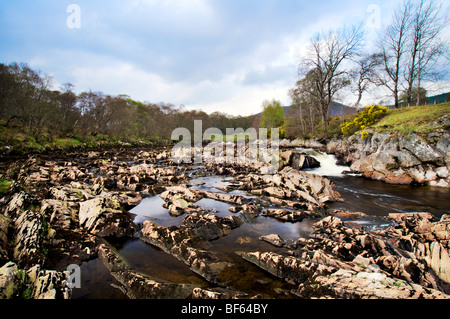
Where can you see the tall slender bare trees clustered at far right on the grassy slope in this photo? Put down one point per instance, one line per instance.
(411, 47)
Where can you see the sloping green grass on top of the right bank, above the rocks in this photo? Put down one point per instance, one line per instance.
(413, 119)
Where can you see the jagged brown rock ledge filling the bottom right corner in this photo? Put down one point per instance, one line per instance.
(410, 260)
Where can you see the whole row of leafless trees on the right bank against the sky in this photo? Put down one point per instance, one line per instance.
(409, 51)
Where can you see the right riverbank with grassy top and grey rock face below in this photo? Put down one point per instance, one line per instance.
(407, 146)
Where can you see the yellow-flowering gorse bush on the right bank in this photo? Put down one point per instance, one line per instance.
(370, 115)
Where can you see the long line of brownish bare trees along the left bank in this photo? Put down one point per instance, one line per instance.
(28, 103)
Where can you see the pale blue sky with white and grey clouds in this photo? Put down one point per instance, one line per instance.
(214, 55)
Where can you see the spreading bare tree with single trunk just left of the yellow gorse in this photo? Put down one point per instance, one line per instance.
(325, 60)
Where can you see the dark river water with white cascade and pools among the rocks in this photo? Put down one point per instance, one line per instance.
(376, 199)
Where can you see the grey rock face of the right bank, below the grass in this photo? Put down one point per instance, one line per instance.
(398, 159)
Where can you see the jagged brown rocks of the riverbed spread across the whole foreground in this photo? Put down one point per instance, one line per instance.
(66, 209)
